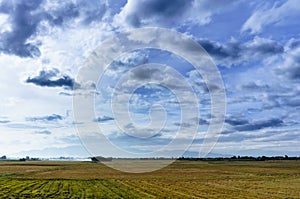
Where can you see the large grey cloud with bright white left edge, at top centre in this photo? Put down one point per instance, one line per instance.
(168, 13)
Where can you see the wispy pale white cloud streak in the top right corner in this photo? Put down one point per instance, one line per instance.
(275, 14)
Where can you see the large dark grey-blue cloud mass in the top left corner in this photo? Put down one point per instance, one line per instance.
(26, 16)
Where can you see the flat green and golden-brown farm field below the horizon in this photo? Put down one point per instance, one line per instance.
(182, 179)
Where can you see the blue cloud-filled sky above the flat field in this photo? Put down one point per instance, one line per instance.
(46, 45)
